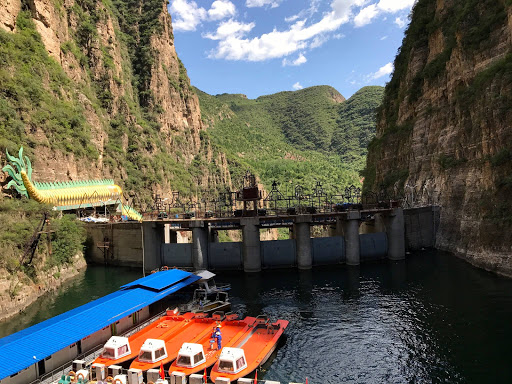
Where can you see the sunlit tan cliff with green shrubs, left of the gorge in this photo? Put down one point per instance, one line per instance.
(95, 89)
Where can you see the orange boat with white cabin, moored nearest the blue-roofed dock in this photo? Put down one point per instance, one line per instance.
(119, 349)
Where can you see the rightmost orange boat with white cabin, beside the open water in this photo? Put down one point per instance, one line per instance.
(249, 353)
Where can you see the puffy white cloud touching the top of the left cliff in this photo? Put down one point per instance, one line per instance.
(188, 15)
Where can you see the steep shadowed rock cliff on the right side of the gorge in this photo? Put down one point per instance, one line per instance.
(444, 129)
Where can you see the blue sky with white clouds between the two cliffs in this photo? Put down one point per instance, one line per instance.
(260, 47)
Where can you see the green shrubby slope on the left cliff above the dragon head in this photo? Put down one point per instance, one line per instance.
(35, 94)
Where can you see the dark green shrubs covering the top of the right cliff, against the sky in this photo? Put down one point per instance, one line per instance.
(470, 24)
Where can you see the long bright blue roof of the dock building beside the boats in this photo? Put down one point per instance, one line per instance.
(24, 348)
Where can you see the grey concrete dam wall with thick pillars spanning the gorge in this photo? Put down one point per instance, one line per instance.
(350, 237)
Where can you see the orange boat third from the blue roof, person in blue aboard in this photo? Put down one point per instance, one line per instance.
(195, 357)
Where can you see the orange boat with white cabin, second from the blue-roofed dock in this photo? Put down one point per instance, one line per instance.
(163, 350)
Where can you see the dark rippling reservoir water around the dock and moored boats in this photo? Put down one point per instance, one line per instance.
(433, 318)
